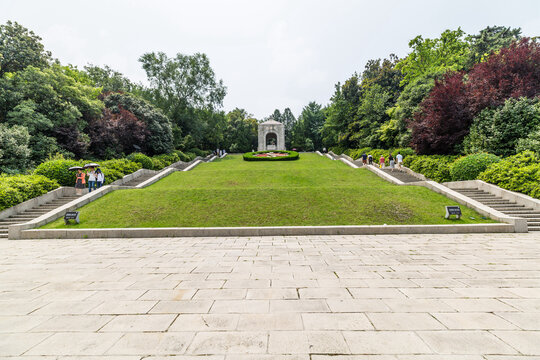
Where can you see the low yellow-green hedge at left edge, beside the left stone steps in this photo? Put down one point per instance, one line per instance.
(18, 188)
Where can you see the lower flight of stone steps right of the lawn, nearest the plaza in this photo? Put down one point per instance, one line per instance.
(505, 206)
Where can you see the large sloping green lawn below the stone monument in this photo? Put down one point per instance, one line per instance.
(232, 192)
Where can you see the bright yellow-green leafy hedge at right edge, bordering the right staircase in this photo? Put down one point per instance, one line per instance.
(519, 173)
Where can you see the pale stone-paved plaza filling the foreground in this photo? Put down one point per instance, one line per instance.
(424, 297)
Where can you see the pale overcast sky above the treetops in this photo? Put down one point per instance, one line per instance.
(270, 54)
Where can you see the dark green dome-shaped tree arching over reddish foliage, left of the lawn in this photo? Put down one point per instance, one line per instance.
(158, 133)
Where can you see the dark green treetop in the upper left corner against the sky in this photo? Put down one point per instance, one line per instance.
(20, 48)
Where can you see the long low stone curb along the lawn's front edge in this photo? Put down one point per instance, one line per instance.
(264, 231)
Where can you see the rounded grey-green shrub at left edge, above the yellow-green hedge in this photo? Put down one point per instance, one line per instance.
(14, 151)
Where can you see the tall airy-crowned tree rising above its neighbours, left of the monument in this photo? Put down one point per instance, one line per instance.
(181, 85)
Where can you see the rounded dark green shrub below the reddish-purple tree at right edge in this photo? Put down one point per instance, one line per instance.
(498, 131)
